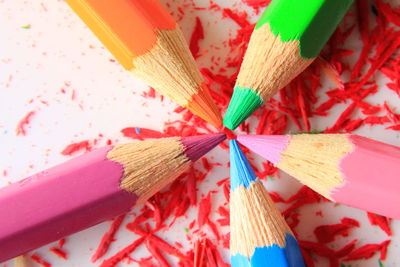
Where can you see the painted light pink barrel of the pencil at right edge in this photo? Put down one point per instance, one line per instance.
(370, 172)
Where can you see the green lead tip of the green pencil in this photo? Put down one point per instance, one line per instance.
(243, 103)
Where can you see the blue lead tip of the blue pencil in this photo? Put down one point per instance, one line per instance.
(241, 171)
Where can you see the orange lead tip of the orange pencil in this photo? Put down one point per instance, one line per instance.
(203, 105)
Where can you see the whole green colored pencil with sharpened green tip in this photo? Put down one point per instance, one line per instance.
(286, 40)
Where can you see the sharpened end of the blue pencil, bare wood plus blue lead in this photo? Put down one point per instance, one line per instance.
(255, 221)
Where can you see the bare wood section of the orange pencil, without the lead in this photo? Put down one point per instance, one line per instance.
(169, 67)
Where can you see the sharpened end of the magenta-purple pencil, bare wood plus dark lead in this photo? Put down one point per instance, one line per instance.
(152, 164)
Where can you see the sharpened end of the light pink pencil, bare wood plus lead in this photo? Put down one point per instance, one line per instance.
(313, 159)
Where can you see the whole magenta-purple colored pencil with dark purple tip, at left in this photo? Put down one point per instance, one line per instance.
(92, 188)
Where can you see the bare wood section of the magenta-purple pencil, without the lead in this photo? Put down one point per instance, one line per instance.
(144, 176)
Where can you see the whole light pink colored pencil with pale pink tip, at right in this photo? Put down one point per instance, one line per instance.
(344, 168)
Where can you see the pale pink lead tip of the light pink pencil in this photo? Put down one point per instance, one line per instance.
(267, 146)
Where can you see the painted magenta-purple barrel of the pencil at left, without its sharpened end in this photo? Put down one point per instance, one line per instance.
(61, 201)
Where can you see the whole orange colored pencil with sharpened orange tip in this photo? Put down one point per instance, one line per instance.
(148, 42)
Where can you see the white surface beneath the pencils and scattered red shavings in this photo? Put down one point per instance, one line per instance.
(58, 51)
